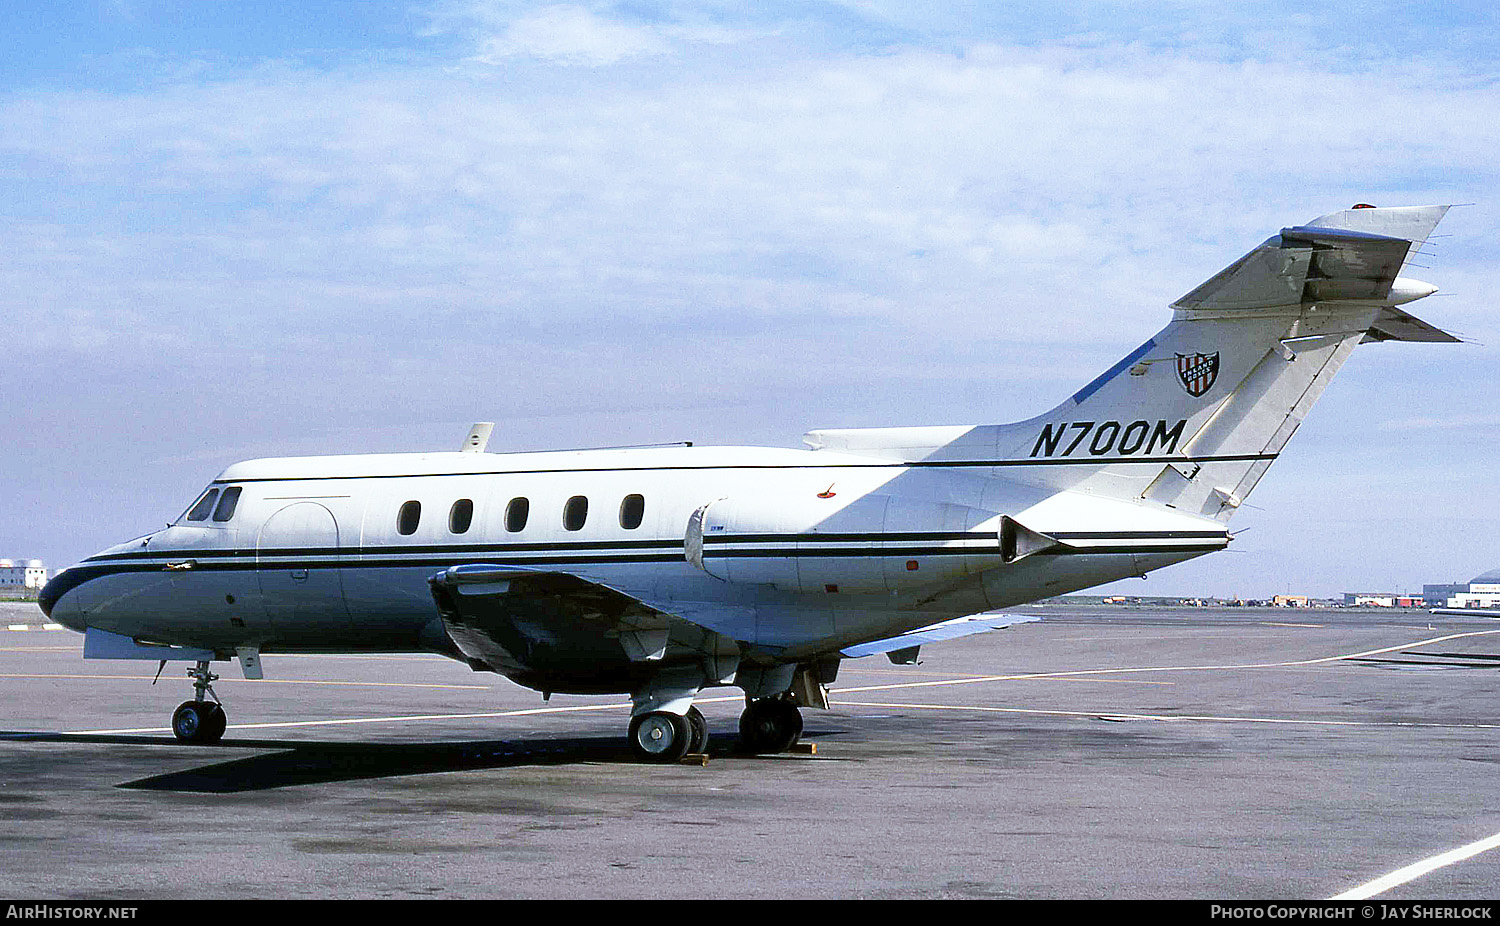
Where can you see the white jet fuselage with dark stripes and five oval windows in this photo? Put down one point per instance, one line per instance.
(820, 550)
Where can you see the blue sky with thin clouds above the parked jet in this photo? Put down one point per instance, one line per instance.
(239, 230)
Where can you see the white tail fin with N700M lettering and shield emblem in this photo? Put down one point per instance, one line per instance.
(1196, 415)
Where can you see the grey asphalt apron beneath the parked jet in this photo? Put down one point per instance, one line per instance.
(1103, 753)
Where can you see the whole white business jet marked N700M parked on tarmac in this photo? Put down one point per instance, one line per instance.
(662, 571)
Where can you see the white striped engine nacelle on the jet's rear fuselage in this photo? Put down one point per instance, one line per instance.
(829, 546)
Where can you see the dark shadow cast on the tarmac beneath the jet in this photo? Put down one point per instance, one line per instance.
(314, 763)
